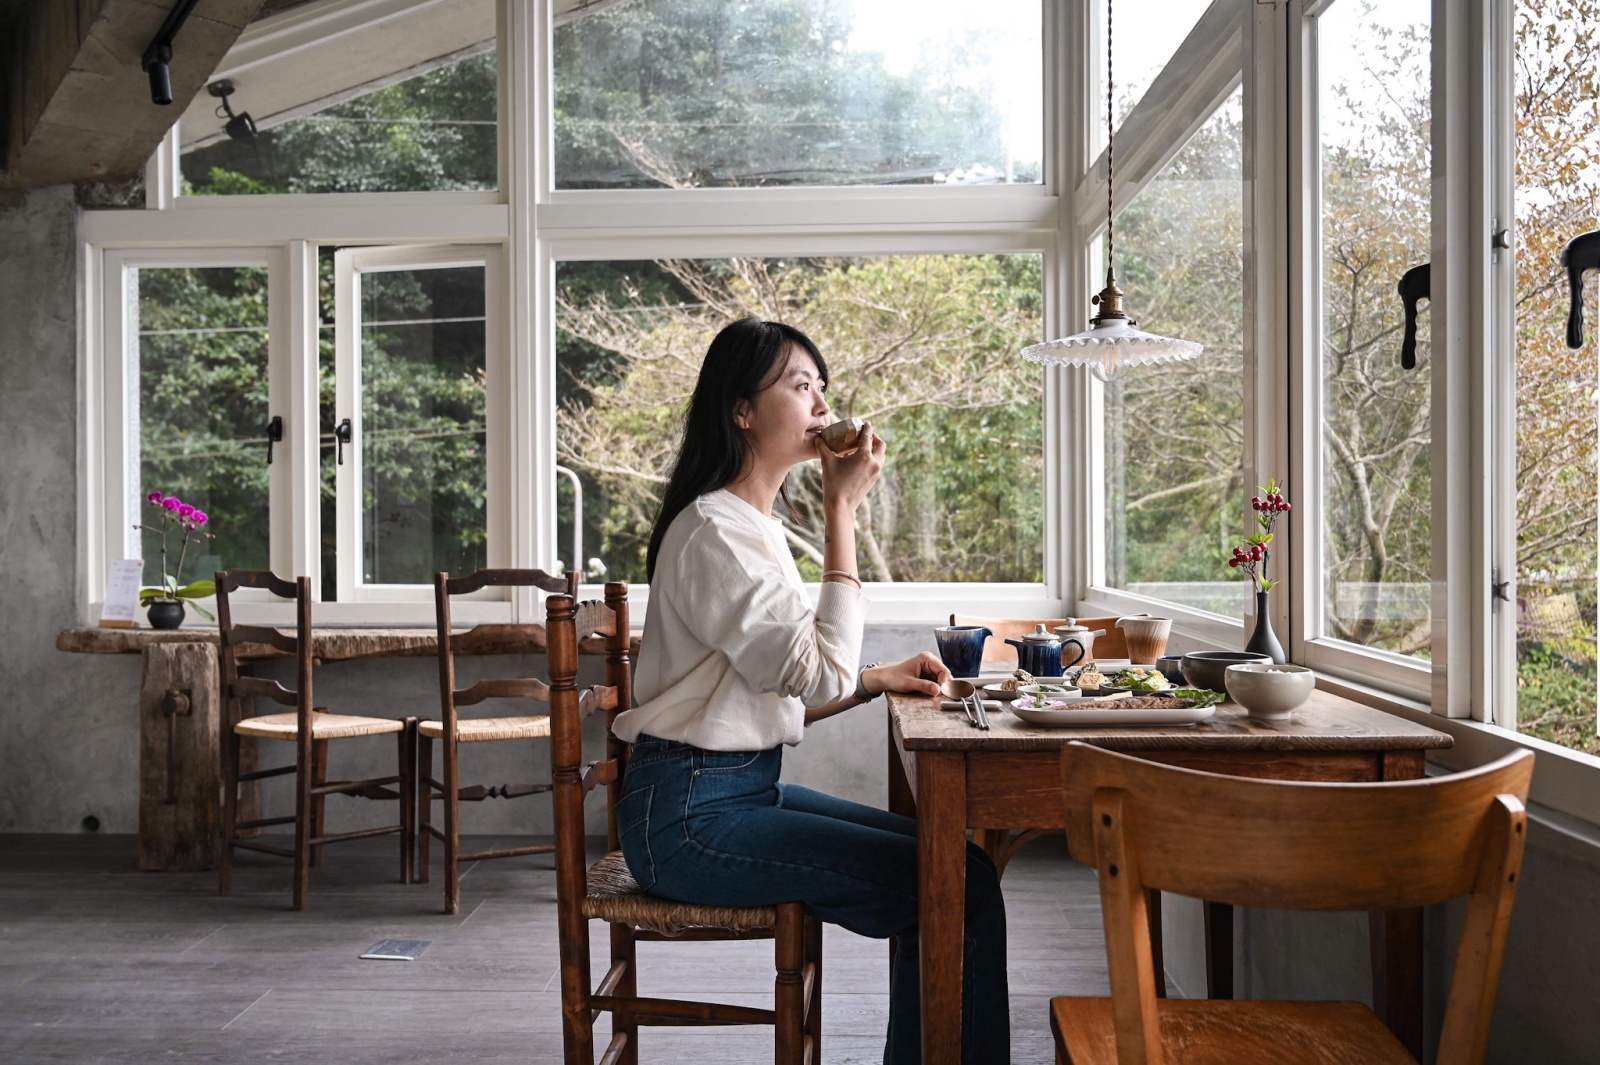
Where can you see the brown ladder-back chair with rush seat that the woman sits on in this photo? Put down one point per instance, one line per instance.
(607, 891)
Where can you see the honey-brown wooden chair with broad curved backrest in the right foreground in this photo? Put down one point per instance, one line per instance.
(1286, 847)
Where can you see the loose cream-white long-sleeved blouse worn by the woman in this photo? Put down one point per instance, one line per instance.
(734, 653)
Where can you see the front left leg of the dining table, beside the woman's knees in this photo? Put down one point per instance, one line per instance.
(942, 869)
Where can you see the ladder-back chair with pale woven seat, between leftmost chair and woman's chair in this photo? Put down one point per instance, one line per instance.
(452, 730)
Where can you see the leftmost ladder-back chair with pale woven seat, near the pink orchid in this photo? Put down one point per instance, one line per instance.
(310, 728)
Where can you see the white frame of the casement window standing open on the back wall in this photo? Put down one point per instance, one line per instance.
(351, 265)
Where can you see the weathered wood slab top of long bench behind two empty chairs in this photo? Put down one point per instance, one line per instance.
(330, 645)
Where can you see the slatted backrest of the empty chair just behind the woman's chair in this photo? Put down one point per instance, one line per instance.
(484, 640)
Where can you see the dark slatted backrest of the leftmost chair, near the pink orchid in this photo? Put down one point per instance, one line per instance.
(238, 688)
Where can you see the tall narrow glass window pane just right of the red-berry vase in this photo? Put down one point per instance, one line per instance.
(1377, 194)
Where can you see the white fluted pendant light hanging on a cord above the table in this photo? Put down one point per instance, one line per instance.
(1111, 345)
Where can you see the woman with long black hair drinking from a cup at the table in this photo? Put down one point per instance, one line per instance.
(735, 664)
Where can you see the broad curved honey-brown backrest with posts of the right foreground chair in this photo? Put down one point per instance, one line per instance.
(1298, 847)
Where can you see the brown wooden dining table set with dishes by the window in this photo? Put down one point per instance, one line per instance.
(951, 778)
